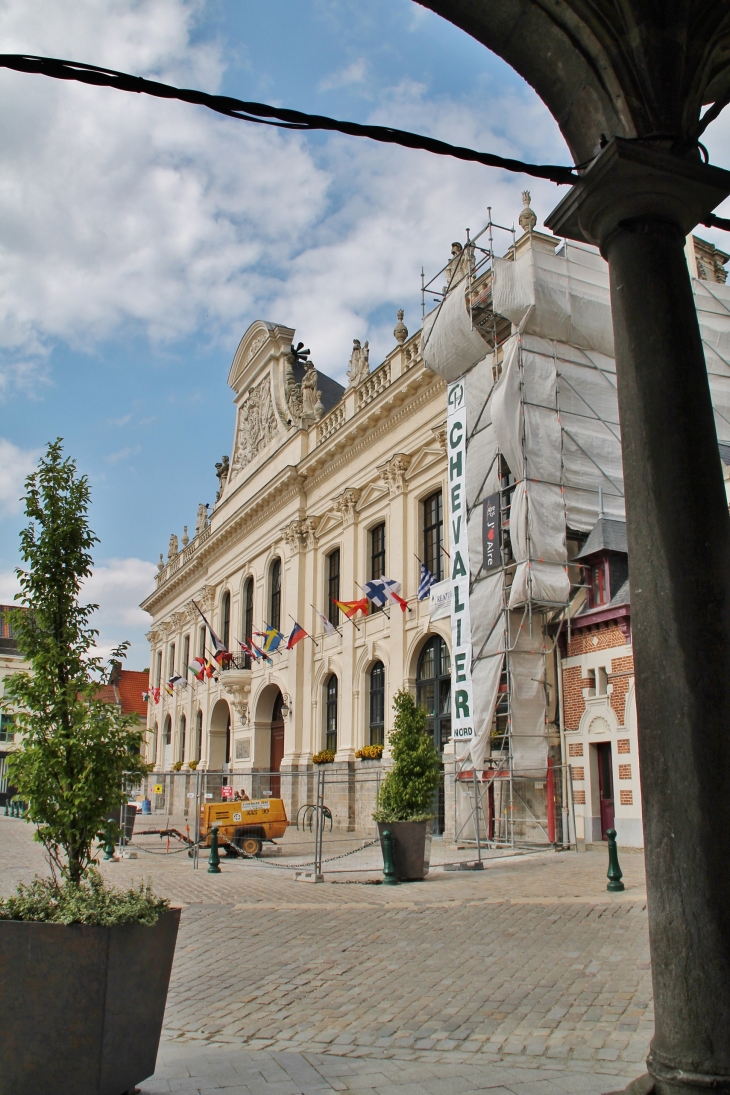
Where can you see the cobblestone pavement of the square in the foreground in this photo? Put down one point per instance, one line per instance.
(527, 977)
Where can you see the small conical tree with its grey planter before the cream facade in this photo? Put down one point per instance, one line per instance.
(405, 801)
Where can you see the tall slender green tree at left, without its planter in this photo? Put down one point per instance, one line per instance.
(77, 752)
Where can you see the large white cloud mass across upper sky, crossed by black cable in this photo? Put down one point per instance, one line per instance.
(118, 210)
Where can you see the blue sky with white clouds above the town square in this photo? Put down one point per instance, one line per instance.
(141, 238)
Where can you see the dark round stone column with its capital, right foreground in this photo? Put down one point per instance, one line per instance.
(679, 538)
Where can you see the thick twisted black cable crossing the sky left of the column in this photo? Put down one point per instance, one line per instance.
(274, 117)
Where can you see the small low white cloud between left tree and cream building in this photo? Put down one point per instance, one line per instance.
(118, 586)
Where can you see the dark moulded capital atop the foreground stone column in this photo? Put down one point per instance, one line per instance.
(630, 180)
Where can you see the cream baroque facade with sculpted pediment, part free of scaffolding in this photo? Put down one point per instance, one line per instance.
(326, 489)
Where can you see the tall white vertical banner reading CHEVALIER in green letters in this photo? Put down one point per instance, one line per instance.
(462, 699)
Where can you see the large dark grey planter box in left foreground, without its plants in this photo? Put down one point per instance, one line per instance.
(82, 1007)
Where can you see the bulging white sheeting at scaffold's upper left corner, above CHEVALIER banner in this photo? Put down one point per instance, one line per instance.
(449, 344)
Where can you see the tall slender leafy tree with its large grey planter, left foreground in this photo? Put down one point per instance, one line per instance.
(85, 967)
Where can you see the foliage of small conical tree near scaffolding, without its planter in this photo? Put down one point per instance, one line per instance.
(407, 794)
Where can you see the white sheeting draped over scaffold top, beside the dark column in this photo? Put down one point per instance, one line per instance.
(569, 294)
